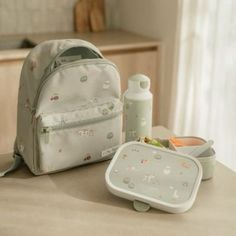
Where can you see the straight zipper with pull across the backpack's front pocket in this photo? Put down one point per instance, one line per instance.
(46, 130)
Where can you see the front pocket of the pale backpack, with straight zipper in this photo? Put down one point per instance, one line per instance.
(78, 137)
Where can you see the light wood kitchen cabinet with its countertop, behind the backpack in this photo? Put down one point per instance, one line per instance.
(130, 52)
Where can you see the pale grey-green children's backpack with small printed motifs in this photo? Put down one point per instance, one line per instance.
(69, 109)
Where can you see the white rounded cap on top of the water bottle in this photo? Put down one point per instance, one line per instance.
(138, 83)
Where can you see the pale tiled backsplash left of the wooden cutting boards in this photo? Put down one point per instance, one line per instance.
(36, 16)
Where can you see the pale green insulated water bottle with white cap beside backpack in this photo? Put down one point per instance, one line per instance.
(138, 108)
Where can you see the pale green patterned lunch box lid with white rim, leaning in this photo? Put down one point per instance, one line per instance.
(155, 177)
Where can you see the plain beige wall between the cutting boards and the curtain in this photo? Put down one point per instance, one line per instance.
(156, 19)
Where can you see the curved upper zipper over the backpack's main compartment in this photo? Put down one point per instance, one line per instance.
(46, 77)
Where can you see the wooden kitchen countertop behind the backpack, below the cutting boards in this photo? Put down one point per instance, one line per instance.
(106, 41)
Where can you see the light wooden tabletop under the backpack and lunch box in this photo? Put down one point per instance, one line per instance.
(77, 202)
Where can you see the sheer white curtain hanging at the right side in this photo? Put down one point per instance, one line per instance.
(204, 101)
